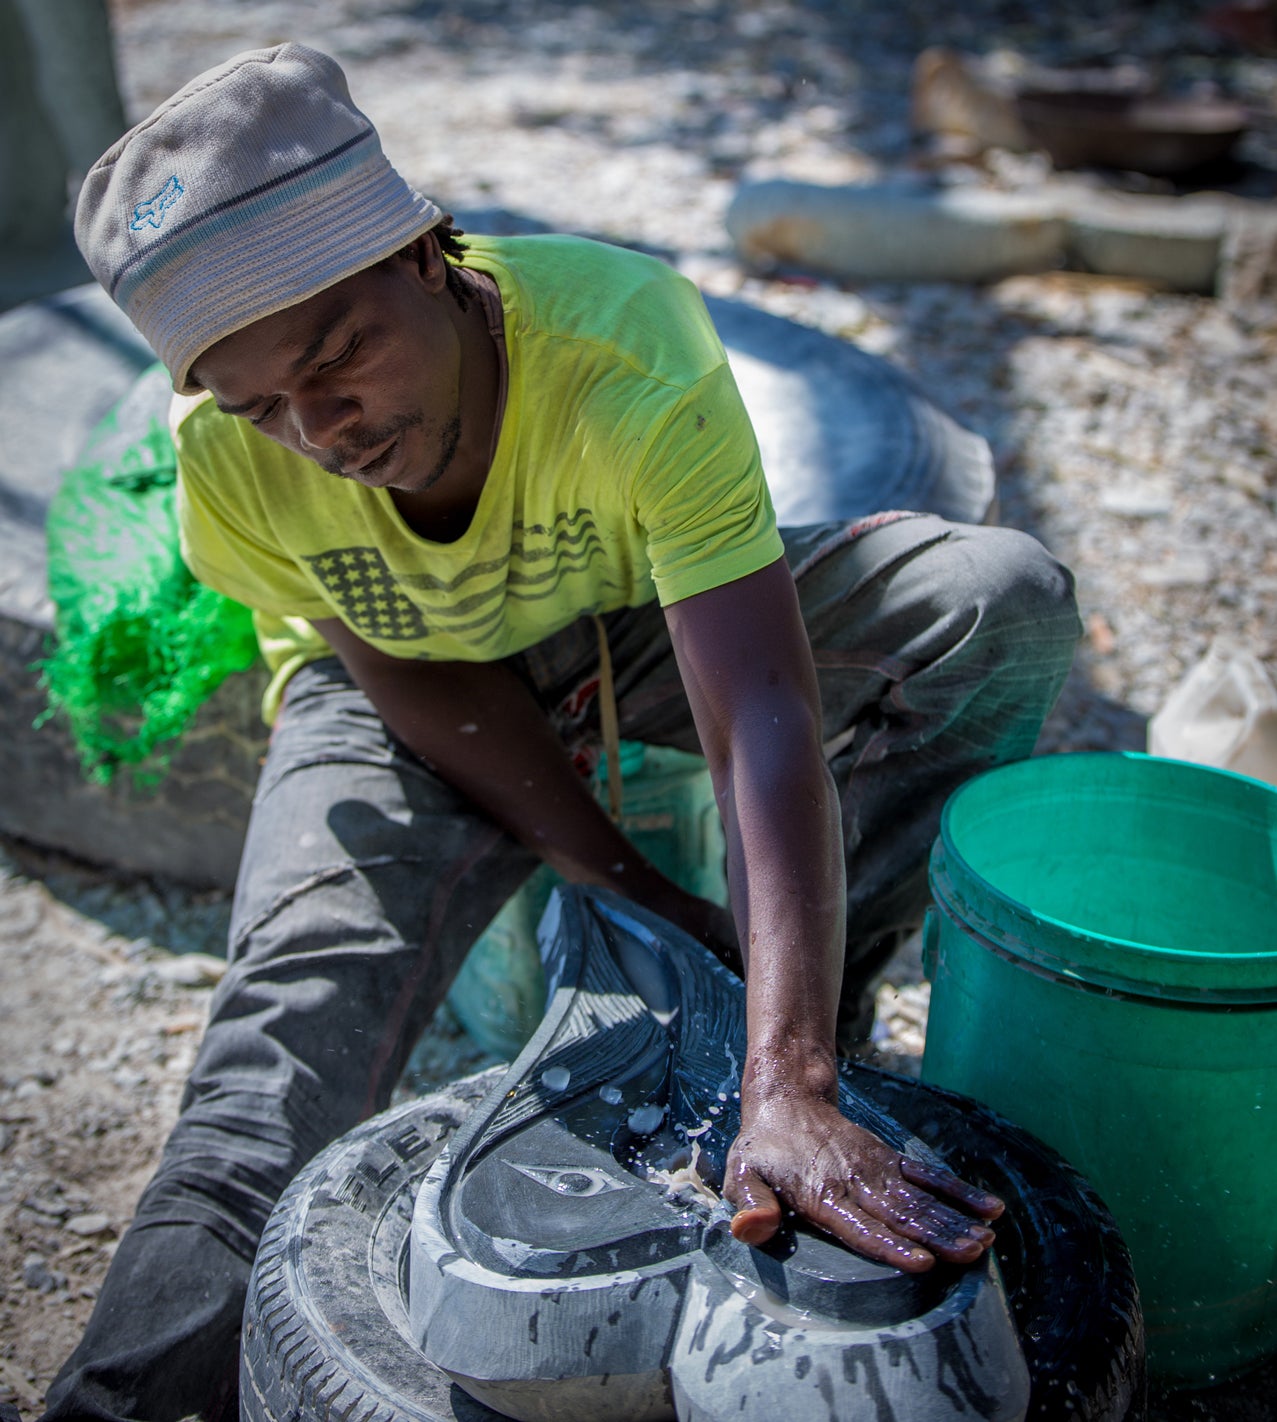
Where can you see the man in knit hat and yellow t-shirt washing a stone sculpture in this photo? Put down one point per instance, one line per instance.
(490, 479)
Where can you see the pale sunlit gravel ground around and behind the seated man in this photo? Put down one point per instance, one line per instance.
(1134, 433)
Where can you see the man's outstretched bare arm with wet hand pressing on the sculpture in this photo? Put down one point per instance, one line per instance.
(747, 666)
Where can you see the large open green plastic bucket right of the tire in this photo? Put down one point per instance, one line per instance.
(1104, 972)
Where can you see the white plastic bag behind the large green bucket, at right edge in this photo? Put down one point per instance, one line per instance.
(1224, 715)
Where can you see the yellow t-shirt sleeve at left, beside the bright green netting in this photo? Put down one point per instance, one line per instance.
(225, 534)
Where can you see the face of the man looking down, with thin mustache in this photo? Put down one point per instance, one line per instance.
(365, 379)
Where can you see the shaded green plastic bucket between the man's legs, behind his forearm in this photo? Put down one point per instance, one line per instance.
(670, 816)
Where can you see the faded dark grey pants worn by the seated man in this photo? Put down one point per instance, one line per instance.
(366, 880)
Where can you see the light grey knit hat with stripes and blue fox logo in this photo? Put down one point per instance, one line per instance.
(251, 190)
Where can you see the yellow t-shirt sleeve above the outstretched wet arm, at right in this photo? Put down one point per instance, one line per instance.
(702, 496)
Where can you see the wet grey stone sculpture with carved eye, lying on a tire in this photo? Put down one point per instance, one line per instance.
(557, 1275)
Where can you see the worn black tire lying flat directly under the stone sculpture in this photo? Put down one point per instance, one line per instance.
(326, 1335)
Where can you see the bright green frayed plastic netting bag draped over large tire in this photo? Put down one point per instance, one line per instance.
(140, 645)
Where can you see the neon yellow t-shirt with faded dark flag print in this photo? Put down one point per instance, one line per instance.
(626, 470)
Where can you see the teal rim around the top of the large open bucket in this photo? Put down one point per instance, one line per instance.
(1070, 951)
